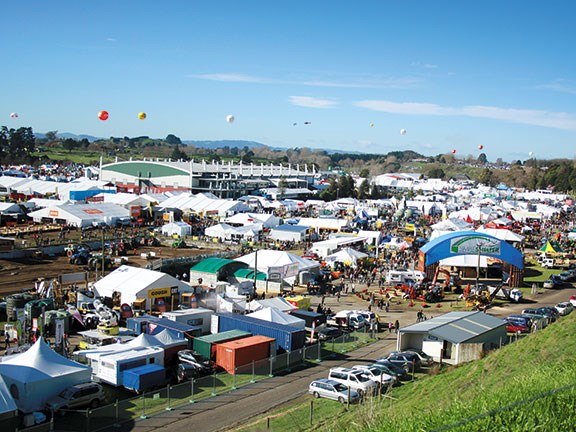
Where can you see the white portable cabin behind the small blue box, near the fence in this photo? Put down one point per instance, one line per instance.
(112, 365)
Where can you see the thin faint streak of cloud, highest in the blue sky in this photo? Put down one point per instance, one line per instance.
(354, 82)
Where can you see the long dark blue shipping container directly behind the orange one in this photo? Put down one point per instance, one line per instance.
(287, 337)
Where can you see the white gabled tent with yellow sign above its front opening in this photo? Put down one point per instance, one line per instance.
(138, 283)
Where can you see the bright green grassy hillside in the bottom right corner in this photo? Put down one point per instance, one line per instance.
(527, 385)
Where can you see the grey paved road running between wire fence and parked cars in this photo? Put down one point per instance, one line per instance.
(227, 411)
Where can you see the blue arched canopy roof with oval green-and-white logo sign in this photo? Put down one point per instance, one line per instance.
(470, 243)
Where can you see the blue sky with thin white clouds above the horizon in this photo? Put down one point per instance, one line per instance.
(454, 75)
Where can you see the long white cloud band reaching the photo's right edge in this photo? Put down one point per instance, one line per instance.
(556, 120)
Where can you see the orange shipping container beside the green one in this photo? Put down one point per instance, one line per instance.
(241, 352)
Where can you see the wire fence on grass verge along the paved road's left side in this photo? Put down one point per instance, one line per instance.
(151, 403)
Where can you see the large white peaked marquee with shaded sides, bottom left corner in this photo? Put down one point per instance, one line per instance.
(38, 374)
